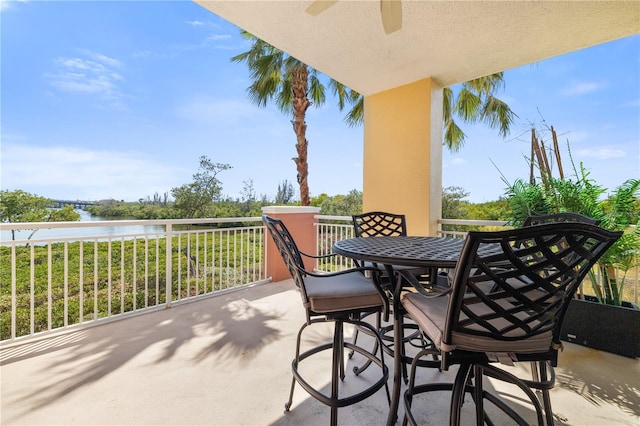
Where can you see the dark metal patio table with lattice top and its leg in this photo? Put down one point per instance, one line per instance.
(427, 252)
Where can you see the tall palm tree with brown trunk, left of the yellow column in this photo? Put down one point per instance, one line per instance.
(294, 87)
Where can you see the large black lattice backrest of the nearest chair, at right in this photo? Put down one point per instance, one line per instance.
(511, 288)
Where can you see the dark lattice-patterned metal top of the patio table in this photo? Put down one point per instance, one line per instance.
(407, 251)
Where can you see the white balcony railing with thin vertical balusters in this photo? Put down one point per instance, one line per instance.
(51, 284)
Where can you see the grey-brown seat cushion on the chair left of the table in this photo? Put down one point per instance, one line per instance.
(339, 293)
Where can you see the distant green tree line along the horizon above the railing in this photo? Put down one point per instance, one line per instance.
(21, 206)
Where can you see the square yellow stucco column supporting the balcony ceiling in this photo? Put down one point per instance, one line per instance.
(403, 154)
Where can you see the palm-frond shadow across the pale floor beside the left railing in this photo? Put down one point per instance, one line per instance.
(229, 326)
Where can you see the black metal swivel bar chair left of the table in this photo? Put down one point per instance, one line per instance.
(340, 297)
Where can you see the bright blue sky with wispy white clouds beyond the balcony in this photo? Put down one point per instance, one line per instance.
(104, 99)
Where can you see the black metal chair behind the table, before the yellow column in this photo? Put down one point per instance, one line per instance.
(385, 224)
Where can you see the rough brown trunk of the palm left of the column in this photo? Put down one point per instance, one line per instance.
(300, 88)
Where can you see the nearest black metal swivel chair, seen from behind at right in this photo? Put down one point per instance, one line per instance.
(509, 296)
